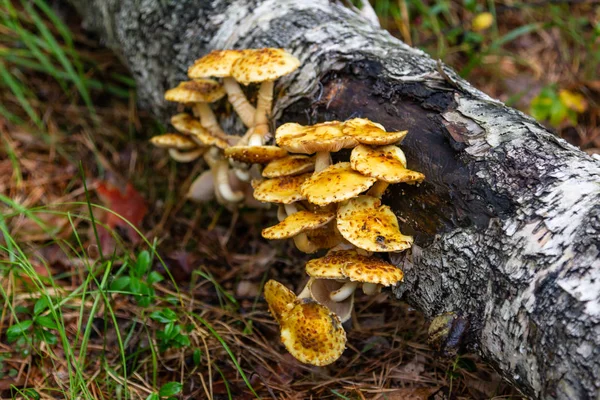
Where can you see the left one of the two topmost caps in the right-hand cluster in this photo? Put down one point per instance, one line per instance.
(326, 136)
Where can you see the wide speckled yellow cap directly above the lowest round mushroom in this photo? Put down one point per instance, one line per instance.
(356, 267)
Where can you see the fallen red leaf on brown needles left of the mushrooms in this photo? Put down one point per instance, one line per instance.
(129, 205)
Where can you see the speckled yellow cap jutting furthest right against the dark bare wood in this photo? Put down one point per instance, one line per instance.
(385, 163)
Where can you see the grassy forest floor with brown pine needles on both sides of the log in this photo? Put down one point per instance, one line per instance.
(167, 301)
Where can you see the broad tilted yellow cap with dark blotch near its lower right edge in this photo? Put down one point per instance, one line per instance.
(367, 224)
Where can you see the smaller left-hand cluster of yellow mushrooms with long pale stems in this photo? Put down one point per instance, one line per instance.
(200, 134)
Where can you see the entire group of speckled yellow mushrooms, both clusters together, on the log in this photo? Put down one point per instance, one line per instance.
(321, 205)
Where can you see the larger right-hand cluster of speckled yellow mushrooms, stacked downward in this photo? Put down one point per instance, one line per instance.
(337, 207)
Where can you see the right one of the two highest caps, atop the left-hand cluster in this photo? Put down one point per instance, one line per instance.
(263, 65)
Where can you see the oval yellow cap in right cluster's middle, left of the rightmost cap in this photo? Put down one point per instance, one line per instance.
(335, 183)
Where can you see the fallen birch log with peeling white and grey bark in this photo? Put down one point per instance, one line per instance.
(507, 223)
